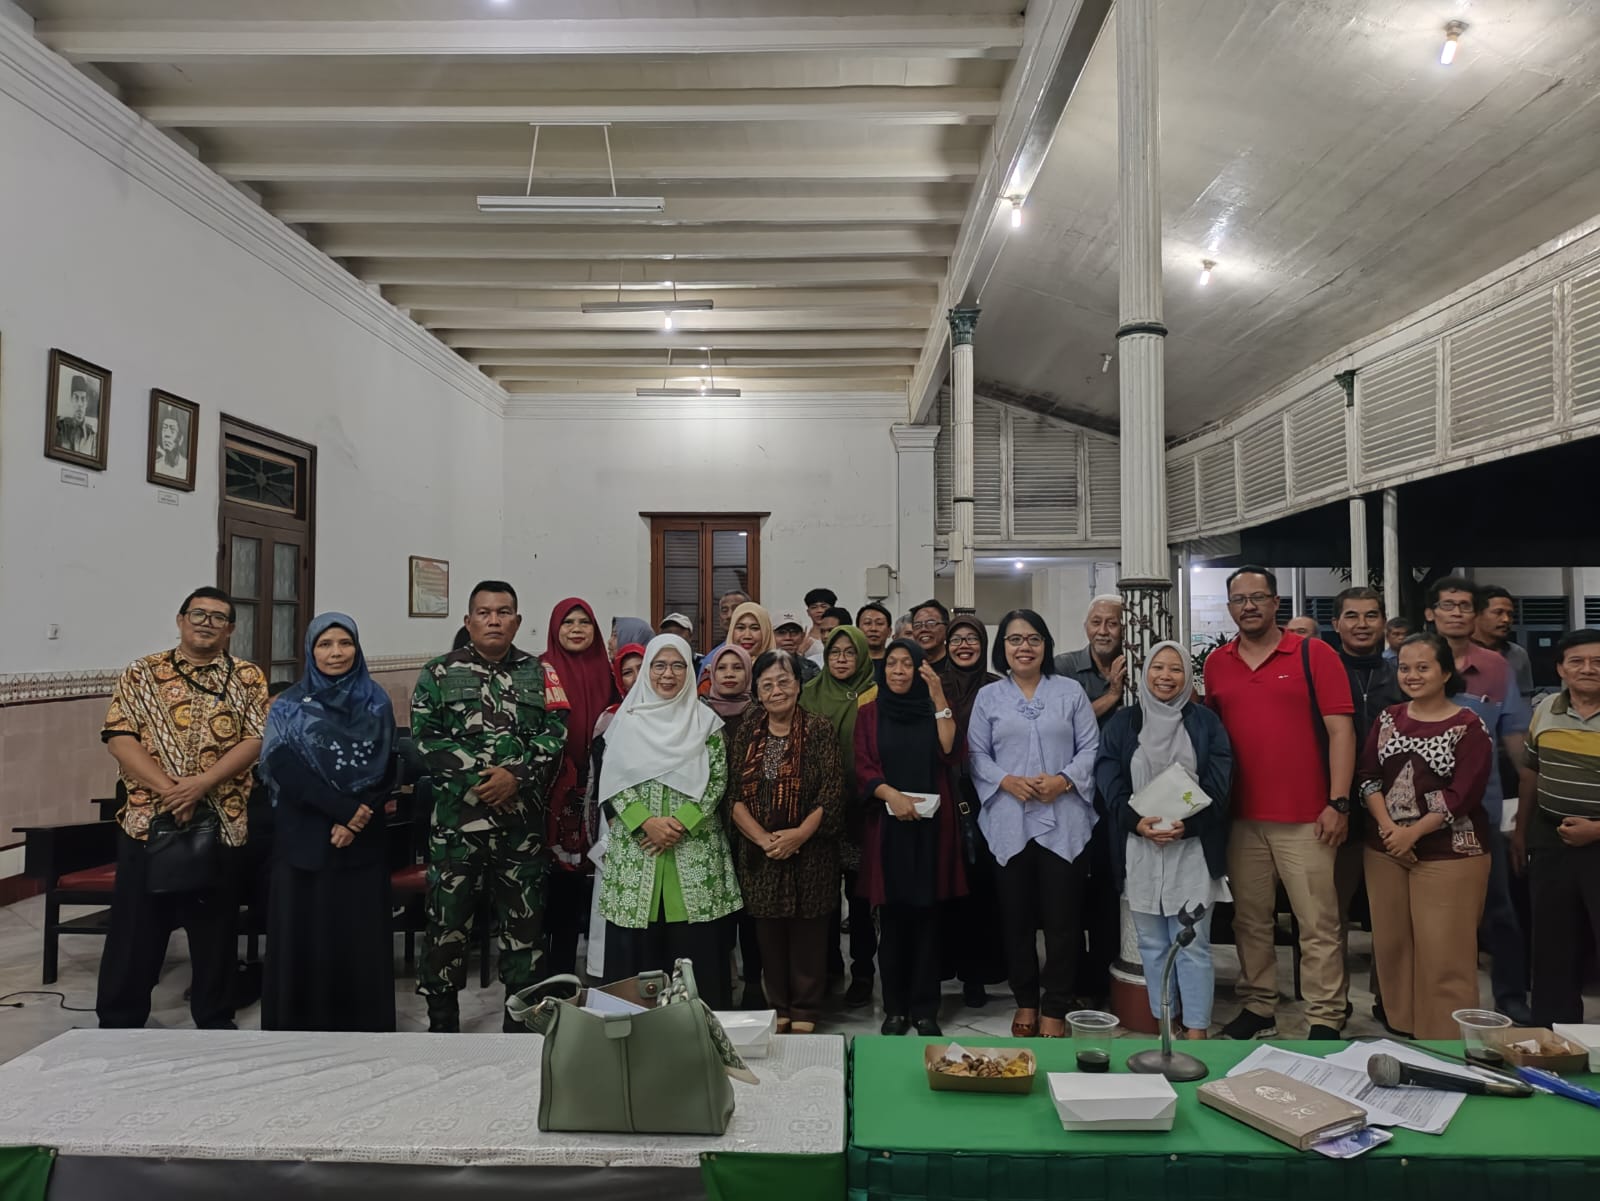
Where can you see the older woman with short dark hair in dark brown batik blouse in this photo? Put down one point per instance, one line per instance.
(788, 799)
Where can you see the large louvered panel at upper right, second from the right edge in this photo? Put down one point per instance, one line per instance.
(1503, 373)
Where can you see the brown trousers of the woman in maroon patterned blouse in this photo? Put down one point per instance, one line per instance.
(1426, 938)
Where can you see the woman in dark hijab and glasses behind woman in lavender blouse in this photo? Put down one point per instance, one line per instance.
(974, 948)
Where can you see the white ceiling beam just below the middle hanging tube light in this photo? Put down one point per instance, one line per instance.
(862, 317)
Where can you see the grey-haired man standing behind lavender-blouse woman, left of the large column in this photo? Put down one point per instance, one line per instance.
(1102, 669)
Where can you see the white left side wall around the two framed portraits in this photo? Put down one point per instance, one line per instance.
(98, 265)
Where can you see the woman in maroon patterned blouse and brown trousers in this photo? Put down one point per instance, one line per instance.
(1423, 775)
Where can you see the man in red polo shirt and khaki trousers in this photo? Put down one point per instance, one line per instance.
(1294, 762)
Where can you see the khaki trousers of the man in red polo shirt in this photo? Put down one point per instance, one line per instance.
(1260, 855)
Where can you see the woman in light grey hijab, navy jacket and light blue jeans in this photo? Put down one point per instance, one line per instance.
(1183, 864)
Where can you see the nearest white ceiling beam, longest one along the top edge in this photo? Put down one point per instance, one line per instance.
(932, 36)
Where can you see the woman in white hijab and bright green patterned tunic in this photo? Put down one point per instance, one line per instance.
(670, 882)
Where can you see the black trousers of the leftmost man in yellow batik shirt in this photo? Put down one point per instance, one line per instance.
(142, 927)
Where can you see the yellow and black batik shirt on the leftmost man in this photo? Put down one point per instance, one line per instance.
(188, 717)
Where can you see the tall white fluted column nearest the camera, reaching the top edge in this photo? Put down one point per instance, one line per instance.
(1140, 337)
